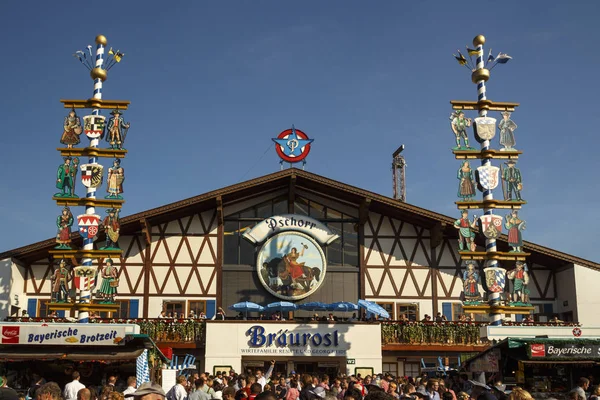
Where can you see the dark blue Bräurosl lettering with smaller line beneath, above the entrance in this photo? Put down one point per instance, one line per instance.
(322, 342)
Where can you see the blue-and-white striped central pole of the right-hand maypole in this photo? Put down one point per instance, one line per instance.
(479, 77)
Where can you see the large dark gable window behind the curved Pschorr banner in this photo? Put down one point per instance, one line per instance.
(238, 251)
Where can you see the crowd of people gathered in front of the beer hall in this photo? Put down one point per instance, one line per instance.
(272, 385)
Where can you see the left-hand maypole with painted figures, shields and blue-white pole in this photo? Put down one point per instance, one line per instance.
(95, 263)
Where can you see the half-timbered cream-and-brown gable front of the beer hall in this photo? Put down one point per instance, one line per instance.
(191, 255)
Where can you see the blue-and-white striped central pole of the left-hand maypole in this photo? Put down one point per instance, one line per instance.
(98, 75)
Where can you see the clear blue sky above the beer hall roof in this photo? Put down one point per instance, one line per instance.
(212, 82)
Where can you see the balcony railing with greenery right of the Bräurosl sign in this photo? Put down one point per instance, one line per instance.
(457, 333)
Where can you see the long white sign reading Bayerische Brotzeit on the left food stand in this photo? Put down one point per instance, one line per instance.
(65, 334)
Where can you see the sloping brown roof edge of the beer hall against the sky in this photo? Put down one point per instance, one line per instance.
(291, 172)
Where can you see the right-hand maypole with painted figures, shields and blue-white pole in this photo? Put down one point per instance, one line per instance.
(486, 178)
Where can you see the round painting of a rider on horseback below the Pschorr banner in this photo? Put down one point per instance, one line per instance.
(291, 265)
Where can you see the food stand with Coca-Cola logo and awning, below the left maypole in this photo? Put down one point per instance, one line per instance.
(55, 350)
